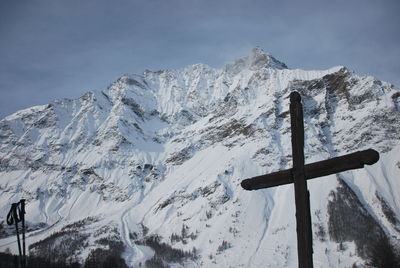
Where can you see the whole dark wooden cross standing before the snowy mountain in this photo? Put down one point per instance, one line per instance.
(299, 175)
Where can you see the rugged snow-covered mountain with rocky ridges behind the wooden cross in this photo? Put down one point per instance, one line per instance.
(150, 168)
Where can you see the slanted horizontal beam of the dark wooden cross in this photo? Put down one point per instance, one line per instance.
(318, 169)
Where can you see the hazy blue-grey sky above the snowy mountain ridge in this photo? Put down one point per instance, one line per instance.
(51, 49)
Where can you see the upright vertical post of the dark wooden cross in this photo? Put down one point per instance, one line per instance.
(302, 197)
